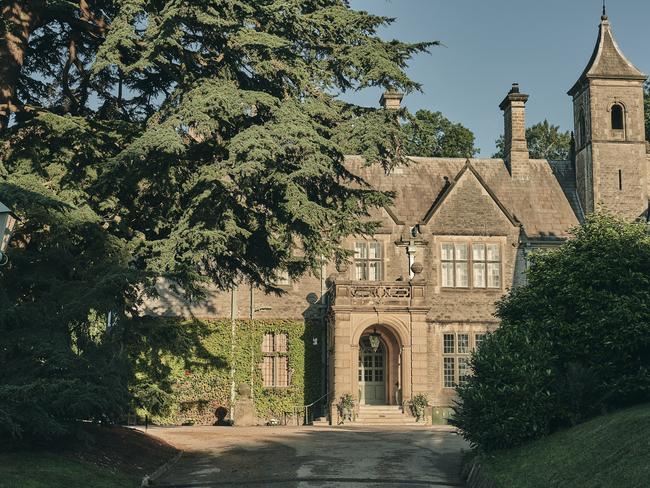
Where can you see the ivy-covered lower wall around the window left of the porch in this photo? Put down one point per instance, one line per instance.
(190, 385)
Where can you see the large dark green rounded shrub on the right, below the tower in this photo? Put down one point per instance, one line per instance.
(574, 341)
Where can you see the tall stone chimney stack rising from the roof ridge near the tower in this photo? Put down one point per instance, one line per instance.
(516, 147)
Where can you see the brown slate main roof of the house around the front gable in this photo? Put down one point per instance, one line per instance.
(545, 203)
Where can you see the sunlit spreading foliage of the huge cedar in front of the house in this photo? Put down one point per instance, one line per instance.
(206, 133)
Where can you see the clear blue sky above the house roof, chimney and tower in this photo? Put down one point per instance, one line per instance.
(542, 44)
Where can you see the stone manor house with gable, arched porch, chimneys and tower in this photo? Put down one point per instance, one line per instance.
(403, 317)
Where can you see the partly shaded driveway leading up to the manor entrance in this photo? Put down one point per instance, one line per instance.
(306, 457)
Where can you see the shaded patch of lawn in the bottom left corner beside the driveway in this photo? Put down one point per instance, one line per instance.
(50, 470)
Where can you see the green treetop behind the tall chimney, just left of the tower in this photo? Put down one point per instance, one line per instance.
(545, 141)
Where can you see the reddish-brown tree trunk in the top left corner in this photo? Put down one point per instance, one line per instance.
(19, 18)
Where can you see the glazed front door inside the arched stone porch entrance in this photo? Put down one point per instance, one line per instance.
(372, 374)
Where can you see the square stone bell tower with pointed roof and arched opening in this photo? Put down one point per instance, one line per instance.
(611, 162)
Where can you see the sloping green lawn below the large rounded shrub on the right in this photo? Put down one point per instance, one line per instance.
(606, 452)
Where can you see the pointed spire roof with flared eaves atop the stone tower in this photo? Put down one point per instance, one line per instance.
(607, 60)
